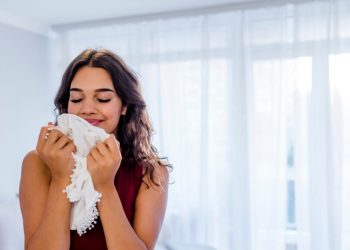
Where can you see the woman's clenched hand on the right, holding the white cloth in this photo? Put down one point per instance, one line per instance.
(103, 163)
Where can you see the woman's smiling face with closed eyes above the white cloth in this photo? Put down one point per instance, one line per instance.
(93, 98)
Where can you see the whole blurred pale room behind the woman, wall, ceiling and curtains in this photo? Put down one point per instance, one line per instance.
(250, 100)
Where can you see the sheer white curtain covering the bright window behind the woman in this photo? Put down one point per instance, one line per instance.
(252, 107)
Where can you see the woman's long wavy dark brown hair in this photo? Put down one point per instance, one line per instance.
(134, 129)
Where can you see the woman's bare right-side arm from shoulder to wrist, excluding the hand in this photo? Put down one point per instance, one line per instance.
(149, 213)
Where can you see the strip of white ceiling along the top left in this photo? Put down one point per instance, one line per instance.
(50, 13)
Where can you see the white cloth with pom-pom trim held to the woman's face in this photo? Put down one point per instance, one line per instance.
(81, 191)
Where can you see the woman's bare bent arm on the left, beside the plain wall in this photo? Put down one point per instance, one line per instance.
(45, 209)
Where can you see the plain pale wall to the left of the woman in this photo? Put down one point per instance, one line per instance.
(25, 107)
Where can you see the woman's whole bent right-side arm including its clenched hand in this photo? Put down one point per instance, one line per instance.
(150, 202)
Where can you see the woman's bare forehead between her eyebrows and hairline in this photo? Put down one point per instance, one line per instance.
(92, 78)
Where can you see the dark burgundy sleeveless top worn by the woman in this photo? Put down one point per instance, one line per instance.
(127, 182)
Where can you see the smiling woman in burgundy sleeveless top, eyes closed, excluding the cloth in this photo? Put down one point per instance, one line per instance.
(98, 87)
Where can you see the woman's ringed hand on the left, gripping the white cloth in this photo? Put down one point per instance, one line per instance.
(55, 150)
